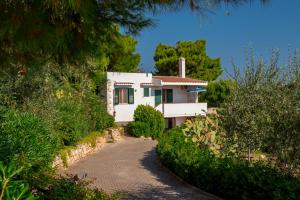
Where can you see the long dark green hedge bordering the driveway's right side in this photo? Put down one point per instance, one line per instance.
(228, 178)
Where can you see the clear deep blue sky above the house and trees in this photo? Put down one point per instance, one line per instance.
(263, 28)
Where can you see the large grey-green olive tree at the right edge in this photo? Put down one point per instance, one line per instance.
(262, 114)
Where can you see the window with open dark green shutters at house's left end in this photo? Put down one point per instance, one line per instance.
(123, 96)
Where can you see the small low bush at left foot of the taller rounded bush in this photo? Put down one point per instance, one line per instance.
(138, 129)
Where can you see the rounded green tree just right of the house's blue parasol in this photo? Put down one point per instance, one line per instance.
(217, 92)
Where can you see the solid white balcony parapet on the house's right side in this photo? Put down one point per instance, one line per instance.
(182, 109)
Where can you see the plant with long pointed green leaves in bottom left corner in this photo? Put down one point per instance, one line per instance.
(11, 186)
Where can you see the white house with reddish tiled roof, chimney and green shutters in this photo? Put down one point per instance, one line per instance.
(175, 96)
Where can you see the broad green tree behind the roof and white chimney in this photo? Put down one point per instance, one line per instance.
(198, 64)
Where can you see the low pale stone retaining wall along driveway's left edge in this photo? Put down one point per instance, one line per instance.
(73, 155)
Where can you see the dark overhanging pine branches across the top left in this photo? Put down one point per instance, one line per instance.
(68, 31)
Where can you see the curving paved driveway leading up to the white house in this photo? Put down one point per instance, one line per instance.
(131, 167)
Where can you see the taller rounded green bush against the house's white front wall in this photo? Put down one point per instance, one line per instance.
(152, 117)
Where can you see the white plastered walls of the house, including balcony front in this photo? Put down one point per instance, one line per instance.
(124, 112)
